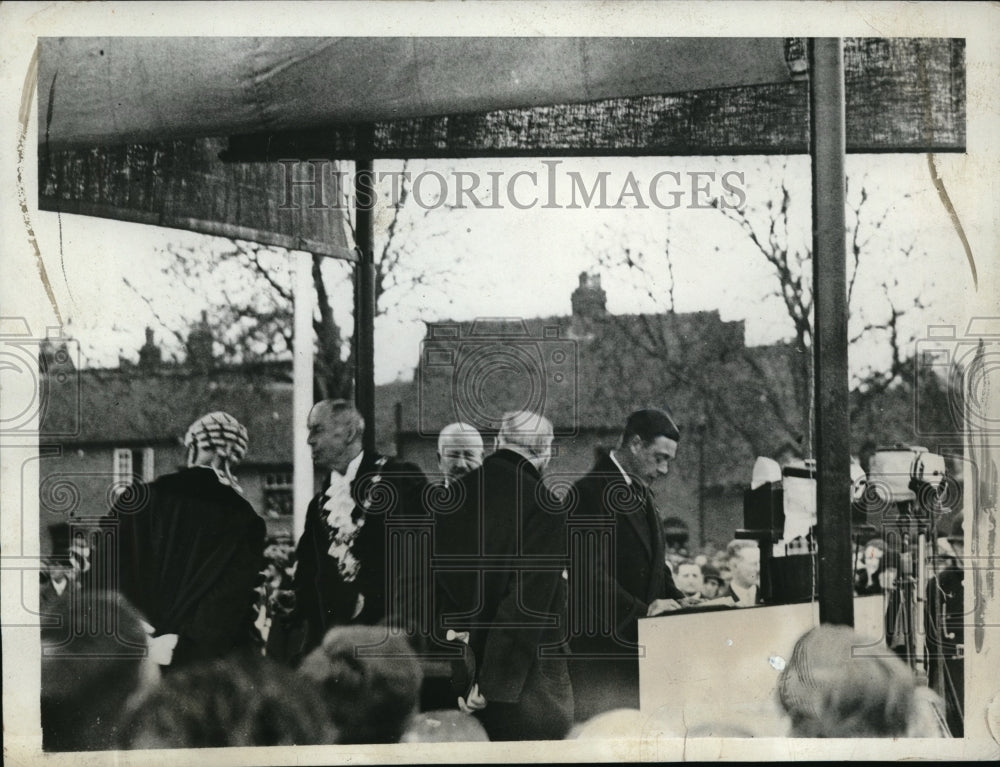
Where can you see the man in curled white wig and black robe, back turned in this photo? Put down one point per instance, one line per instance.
(190, 548)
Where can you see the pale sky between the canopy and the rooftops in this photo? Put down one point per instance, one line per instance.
(505, 261)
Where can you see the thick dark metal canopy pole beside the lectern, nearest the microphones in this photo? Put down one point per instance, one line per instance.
(833, 462)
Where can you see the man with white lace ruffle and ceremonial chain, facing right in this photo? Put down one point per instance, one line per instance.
(342, 574)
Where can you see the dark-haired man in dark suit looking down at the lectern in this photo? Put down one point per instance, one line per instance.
(618, 572)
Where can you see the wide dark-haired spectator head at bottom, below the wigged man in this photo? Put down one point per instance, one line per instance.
(232, 702)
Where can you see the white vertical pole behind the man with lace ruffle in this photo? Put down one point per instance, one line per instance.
(302, 398)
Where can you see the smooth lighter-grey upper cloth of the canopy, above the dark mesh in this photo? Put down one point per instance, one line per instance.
(97, 91)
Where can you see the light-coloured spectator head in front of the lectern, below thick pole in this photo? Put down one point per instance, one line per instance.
(838, 685)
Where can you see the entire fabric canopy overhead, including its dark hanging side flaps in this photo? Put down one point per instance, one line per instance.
(214, 114)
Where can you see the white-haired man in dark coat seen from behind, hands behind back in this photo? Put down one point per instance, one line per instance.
(499, 563)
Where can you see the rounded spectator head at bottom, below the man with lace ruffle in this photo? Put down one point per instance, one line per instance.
(370, 682)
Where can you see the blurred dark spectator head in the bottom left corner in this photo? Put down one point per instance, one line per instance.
(94, 667)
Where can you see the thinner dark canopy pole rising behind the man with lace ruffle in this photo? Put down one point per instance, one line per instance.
(364, 299)
